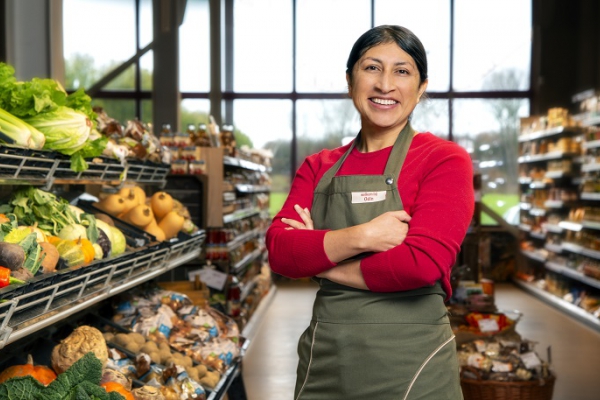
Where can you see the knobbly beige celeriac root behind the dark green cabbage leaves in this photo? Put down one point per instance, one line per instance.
(81, 341)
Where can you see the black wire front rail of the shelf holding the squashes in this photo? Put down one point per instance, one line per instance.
(24, 315)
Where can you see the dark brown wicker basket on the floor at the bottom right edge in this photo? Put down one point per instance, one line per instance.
(479, 389)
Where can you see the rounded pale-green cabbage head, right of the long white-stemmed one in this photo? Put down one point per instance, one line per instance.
(66, 130)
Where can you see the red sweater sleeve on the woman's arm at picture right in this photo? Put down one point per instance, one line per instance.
(441, 207)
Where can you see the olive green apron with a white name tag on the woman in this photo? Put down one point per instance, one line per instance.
(373, 346)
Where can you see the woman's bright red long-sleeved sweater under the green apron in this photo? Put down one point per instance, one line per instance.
(436, 188)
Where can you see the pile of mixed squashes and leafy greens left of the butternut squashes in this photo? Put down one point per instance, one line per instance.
(38, 229)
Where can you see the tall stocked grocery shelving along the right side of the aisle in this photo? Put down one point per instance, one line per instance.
(557, 233)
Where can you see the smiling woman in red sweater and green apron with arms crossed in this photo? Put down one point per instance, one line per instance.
(378, 223)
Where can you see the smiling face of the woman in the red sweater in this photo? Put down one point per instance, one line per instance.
(385, 88)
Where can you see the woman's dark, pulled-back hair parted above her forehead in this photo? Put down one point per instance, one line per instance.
(403, 37)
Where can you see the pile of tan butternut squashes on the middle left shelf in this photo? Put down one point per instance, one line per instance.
(155, 215)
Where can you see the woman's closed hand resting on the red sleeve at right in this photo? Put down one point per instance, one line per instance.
(386, 231)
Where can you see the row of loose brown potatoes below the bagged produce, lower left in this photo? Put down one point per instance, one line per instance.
(161, 353)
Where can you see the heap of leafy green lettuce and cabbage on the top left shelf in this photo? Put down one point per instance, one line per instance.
(39, 114)
